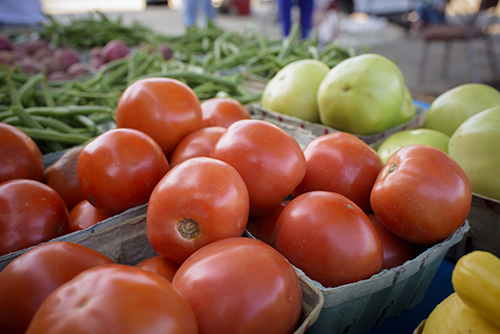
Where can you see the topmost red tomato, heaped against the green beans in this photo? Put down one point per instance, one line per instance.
(164, 108)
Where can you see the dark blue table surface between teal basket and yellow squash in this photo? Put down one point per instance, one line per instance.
(439, 289)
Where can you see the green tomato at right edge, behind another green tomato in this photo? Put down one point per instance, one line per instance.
(454, 106)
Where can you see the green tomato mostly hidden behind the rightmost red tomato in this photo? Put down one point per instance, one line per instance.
(412, 137)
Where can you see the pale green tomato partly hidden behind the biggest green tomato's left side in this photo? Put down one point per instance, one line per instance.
(292, 91)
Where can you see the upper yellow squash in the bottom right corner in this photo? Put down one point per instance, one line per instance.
(476, 280)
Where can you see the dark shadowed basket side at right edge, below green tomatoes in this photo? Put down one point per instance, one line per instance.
(484, 232)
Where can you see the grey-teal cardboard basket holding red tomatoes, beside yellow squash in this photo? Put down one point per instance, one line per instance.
(359, 307)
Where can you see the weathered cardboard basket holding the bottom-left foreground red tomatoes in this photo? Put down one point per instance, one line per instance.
(123, 238)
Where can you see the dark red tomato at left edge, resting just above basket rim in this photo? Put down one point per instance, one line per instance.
(30, 213)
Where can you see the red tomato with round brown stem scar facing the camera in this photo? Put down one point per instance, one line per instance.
(199, 201)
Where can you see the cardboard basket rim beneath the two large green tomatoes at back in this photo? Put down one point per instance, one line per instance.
(319, 129)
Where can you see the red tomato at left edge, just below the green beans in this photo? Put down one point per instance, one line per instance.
(21, 157)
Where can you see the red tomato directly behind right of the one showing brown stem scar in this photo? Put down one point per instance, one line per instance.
(269, 160)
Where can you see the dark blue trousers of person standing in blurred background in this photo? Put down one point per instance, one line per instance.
(306, 12)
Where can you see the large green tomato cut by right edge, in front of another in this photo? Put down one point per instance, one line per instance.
(475, 146)
